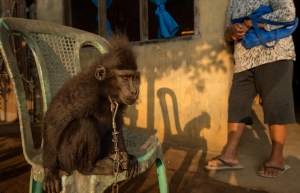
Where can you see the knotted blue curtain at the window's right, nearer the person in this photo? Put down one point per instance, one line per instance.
(167, 25)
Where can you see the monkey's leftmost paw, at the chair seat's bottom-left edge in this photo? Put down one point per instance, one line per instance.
(51, 182)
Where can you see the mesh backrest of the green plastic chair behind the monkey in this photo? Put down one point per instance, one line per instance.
(56, 50)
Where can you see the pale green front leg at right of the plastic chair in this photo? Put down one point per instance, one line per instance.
(162, 177)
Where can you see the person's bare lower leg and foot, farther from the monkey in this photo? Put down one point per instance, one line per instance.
(278, 135)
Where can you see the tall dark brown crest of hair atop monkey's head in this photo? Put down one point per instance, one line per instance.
(120, 54)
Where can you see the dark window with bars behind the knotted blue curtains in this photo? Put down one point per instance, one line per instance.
(136, 17)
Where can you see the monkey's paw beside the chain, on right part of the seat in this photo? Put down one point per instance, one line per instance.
(130, 163)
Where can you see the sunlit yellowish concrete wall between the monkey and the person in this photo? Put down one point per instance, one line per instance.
(184, 84)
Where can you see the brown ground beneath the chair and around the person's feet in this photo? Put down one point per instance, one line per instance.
(185, 167)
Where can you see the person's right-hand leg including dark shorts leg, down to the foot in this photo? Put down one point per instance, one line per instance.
(274, 83)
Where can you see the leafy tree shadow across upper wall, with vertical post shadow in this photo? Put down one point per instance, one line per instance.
(194, 59)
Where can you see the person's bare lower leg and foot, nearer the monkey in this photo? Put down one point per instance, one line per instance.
(235, 132)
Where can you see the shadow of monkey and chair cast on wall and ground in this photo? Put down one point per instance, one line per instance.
(189, 137)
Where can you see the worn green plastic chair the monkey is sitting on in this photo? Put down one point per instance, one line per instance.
(56, 51)
